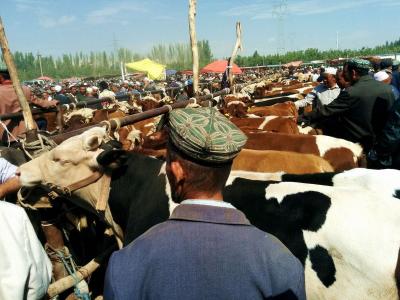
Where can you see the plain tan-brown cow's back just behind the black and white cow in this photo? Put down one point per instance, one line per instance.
(270, 161)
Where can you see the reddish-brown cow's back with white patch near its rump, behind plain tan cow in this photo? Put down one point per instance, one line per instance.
(341, 154)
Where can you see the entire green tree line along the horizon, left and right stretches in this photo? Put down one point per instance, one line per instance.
(175, 56)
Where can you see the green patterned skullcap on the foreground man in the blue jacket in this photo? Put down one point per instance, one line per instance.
(205, 135)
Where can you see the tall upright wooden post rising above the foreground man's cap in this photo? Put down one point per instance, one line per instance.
(193, 42)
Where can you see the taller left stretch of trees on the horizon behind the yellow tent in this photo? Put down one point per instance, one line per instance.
(95, 64)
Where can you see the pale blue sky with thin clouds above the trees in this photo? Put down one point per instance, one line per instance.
(62, 26)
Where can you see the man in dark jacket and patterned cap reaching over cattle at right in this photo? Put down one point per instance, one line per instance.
(360, 111)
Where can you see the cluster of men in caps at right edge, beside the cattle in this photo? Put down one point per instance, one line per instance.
(359, 105)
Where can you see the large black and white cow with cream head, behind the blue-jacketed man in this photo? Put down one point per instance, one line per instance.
(347, 239)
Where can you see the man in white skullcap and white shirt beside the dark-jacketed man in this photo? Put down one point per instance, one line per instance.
(324, 93)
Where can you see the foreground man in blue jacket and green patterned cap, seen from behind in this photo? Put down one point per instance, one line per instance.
(207, 249)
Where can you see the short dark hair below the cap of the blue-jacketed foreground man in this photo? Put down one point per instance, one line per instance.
(200, 176)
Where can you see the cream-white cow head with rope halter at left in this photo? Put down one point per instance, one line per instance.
(73, 160)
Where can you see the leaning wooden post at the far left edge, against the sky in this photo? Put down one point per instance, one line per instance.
(31, 129)
